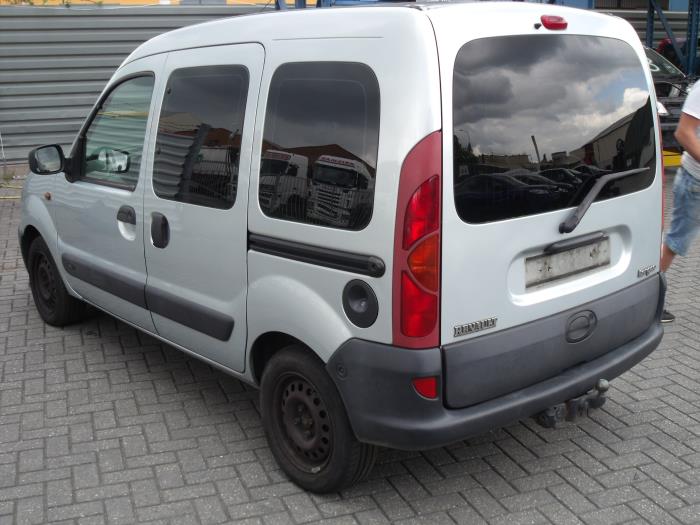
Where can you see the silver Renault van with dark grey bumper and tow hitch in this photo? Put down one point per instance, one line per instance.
(427, 276)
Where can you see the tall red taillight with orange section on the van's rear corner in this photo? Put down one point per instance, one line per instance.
(416, 273)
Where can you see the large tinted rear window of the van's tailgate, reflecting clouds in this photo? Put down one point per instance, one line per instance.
(538, 118)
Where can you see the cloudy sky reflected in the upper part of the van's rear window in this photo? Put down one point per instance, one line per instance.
(563, 89)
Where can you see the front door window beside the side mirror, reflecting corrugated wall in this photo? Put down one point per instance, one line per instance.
(113, 144)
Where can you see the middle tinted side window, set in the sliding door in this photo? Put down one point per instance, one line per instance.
(199, 136)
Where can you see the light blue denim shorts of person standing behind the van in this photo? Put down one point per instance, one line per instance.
(685, 221)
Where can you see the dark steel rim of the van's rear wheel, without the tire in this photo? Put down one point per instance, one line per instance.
(307, 432)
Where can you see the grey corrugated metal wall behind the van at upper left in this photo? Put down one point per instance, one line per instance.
(54, 62)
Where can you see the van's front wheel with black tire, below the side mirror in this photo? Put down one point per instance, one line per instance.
(55, 305)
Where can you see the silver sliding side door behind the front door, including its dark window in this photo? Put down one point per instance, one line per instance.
(195, 204)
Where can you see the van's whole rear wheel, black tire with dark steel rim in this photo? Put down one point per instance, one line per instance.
(306, 425)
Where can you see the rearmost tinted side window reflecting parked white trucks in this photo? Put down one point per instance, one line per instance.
(319, 155)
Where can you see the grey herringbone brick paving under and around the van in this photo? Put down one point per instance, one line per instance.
(100, 424)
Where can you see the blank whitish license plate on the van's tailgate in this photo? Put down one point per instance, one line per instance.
(546, 268)
